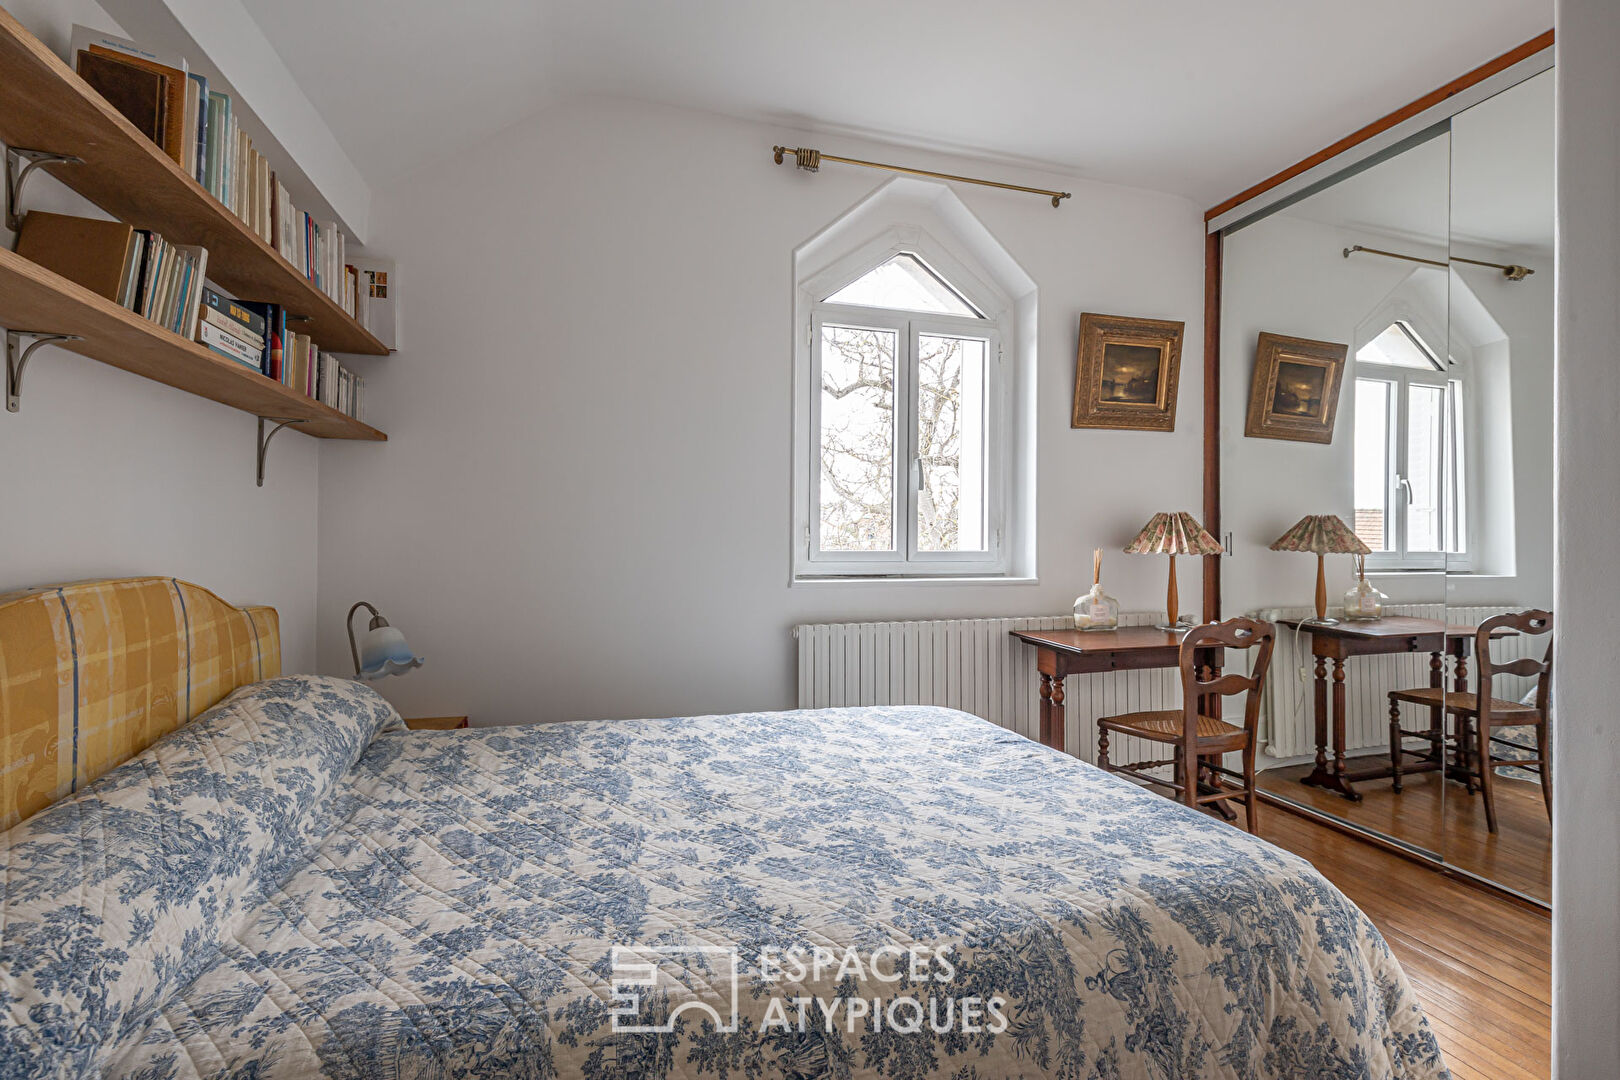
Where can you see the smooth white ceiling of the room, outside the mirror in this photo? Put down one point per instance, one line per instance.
(1183, 96)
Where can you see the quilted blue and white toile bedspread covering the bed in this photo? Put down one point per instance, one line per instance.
(296, 887)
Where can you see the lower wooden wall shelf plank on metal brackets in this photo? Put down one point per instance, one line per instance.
(35, 299)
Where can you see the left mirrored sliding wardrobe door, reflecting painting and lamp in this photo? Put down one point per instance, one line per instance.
(1334, 359)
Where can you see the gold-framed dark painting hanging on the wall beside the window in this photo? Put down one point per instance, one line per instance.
(1127, 373)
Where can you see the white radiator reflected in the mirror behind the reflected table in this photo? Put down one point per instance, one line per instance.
(1289, 726)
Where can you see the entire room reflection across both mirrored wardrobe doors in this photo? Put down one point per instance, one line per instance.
(1430, 273)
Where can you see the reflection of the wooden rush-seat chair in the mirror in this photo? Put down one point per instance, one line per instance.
(1478, 715)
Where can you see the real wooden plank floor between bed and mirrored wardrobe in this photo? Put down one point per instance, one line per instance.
(1480, 964)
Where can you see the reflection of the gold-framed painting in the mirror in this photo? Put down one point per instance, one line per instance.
(1295, 391)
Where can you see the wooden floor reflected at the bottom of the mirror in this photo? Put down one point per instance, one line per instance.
(1519, 856)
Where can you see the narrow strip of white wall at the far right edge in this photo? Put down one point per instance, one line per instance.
(1587, 747)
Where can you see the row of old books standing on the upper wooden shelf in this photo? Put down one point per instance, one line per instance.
(200, 130)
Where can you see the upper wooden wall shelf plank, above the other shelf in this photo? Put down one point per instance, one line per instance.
(45, 106)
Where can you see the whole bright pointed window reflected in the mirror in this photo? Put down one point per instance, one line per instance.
(1410, 454)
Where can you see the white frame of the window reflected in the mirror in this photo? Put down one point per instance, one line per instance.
(1456, 488)
